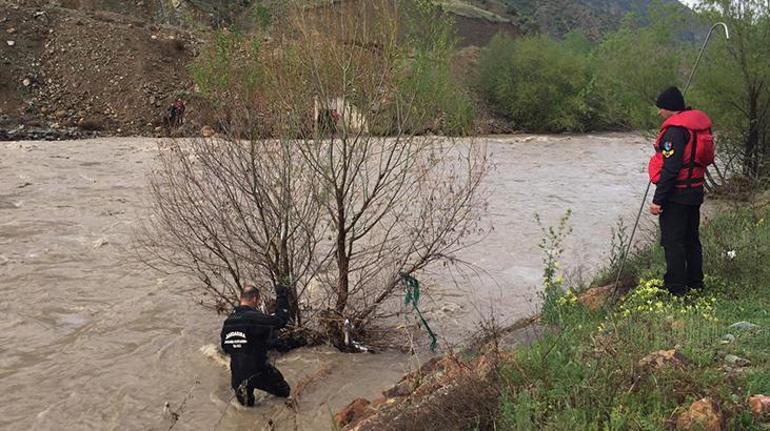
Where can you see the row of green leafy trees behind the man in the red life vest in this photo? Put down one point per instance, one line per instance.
(545, 84)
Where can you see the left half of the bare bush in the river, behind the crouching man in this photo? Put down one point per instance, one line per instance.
(232, 211)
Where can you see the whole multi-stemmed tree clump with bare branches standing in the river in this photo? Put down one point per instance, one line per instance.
(347, 197)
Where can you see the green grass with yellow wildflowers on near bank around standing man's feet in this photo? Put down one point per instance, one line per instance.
(584, 375)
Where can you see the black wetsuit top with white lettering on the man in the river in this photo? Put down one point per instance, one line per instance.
(246, 336)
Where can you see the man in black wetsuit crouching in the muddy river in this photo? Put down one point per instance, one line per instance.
(245, 336)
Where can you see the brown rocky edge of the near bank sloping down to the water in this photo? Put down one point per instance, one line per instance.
(456, 390)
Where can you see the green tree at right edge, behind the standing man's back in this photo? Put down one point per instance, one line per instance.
(735, 81)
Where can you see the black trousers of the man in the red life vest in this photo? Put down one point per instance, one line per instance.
(680, 238)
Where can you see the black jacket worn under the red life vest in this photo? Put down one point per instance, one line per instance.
(666, 190)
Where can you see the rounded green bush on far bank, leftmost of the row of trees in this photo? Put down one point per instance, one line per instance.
(537, 82)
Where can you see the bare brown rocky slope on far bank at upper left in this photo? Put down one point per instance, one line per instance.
(69, 73)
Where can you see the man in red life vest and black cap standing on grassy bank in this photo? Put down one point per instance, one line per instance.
(683, 150)
